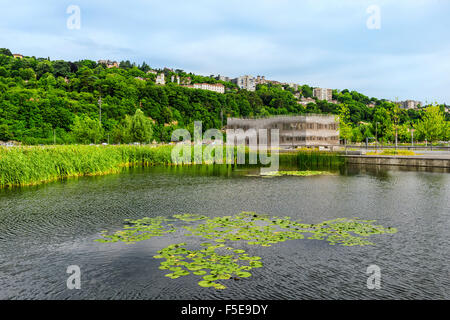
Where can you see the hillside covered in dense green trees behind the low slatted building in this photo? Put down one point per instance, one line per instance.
(42, 100)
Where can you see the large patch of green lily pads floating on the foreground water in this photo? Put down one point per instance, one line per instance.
(218, 259)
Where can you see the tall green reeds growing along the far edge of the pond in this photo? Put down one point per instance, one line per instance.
(21, 166)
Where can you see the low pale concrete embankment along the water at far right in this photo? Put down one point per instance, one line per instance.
(430, 161)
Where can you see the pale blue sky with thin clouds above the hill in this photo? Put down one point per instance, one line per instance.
(398, 49)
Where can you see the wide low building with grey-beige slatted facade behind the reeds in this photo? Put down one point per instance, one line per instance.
(294, 131)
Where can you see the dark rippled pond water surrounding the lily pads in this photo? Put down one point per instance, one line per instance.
(45, 229)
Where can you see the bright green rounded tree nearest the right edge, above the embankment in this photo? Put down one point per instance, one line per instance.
(432, 126)
